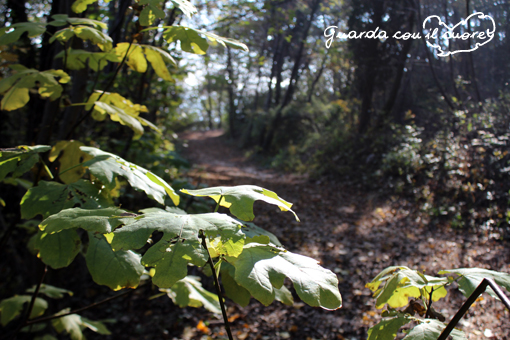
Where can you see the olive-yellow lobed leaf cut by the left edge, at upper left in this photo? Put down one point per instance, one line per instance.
(16, 87)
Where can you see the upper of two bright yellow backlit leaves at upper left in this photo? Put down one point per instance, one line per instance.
(138, 55)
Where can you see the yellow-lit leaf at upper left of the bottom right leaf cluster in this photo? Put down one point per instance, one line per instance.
(400, 283)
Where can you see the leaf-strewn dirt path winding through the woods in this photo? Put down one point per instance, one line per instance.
(355, 234)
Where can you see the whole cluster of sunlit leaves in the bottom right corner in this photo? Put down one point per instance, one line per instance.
(395, 285)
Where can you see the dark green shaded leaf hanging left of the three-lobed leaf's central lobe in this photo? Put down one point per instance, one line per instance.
(115, 269)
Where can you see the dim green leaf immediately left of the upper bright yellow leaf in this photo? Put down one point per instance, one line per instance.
(79, 59)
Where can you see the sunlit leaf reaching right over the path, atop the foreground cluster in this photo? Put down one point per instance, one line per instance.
(240, 199)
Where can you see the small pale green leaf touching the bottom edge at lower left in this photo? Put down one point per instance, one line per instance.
(74, 325)
